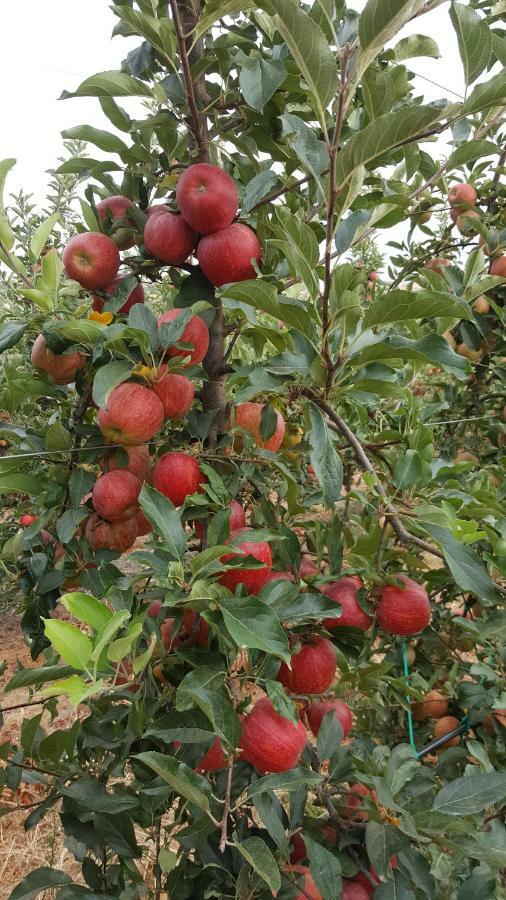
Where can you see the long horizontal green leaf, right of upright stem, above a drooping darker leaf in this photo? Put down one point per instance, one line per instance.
(401, 306)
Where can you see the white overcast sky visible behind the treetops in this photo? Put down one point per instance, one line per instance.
(48, 46)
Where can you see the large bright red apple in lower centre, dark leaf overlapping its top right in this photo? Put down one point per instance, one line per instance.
(270, 742)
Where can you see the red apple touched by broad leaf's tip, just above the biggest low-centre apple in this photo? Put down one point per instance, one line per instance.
(313, 668)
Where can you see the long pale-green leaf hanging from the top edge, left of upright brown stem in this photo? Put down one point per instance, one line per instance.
(309, 48)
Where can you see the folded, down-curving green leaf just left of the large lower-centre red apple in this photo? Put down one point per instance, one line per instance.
(204, 688)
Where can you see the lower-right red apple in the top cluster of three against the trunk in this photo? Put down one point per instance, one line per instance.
(227, 255)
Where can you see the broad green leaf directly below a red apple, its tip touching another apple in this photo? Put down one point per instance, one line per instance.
(252, 623)
